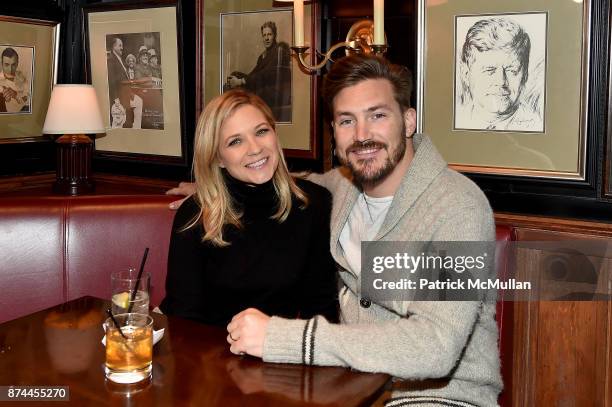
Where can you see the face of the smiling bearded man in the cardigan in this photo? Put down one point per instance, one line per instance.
(370, 129)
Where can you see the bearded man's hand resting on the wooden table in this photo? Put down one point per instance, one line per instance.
(247, 331)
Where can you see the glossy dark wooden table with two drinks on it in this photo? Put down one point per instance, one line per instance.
(192, 366)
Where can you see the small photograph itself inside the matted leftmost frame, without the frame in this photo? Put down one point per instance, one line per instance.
(16, 79)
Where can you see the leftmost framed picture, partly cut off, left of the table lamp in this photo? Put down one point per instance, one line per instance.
(28, 71)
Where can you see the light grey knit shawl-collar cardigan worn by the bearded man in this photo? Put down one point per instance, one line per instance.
(447, 350)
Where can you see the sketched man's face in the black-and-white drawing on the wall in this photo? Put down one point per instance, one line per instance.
(496, 81)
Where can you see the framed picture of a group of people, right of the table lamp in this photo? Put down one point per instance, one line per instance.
(132, 54)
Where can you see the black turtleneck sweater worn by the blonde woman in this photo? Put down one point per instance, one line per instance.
(283, 269)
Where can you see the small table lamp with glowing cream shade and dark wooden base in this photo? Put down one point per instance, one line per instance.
(73, 112)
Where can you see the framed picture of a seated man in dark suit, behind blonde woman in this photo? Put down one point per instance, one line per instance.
(247, 46)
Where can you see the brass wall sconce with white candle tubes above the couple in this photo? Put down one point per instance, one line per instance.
(365, 36)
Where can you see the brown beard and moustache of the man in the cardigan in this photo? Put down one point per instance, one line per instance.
(362, 173)
